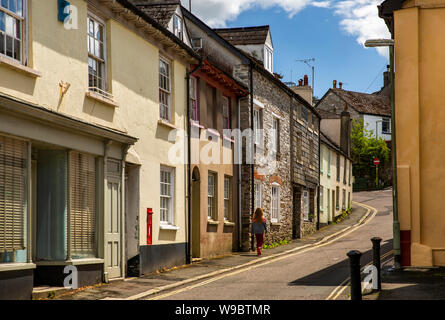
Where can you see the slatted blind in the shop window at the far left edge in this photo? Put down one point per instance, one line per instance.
(13, 154)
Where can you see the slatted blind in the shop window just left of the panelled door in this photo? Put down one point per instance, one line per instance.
(83, 204)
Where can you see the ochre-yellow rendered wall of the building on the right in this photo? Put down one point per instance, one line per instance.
(420, 128)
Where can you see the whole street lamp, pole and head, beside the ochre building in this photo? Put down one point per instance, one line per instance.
(396, 224)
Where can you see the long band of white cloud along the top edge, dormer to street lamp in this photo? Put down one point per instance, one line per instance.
(359, 18)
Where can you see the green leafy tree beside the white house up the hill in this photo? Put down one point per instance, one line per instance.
(365, 148)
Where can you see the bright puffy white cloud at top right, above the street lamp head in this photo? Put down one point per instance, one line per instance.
(360, 19)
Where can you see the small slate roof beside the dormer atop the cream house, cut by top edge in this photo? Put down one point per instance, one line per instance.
(160, 10)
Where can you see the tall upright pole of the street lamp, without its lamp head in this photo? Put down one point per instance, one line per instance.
(396, 223)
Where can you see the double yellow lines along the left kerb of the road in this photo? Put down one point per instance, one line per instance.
(320, 244)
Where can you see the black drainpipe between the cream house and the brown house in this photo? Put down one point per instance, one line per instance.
(189, 160)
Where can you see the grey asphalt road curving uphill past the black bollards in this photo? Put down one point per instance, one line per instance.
(310, 275)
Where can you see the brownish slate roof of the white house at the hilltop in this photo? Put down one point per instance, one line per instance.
(366, 103)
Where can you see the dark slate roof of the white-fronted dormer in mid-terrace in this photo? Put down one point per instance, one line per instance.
(245, 36)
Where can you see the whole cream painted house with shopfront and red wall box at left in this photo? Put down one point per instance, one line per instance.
(88, 112)
